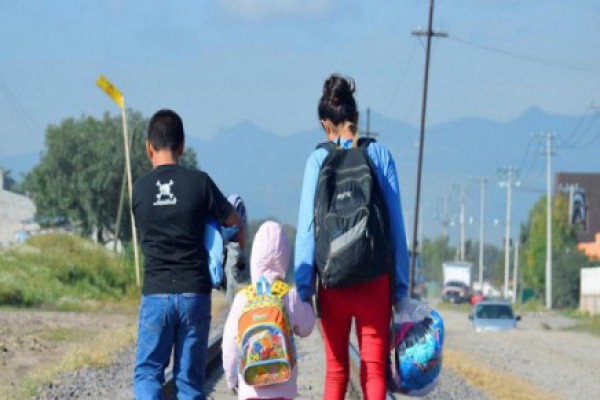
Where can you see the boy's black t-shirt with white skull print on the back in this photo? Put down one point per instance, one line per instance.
(170, 205)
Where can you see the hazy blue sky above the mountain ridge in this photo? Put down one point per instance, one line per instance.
(221, 62)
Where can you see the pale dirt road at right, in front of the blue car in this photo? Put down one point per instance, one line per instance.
(557, 363)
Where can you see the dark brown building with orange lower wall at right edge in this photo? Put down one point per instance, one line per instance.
(583, 190)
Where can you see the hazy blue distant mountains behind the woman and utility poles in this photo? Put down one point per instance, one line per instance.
(267, 169)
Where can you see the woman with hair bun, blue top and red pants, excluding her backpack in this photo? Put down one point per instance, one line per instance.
(368, 302)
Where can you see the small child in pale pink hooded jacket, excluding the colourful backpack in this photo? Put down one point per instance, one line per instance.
(271, 256)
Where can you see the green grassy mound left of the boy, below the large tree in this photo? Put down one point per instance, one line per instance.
(63, 272)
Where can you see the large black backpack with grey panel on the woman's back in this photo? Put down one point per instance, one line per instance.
(351, 219)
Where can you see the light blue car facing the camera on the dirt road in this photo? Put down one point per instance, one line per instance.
(491, 315)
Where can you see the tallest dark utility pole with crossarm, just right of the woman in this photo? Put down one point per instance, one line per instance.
(429, 33)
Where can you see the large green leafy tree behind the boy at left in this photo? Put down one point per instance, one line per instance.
(81, 172)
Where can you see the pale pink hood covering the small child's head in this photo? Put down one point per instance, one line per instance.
(271, 252)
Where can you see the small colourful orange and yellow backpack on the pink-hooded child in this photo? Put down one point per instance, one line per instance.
(265, 338)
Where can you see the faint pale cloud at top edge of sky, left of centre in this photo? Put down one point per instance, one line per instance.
(257, 10)
